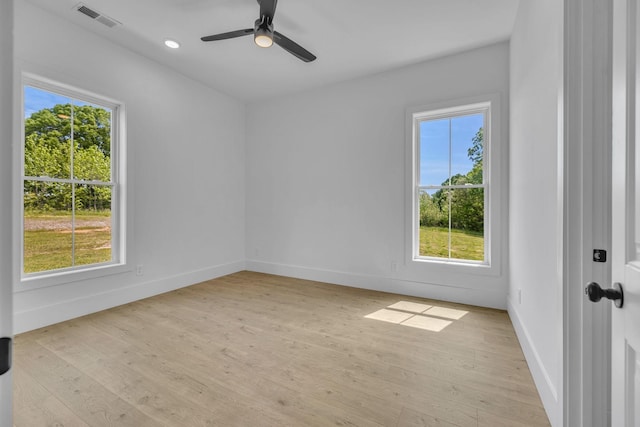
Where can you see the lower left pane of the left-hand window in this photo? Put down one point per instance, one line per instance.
(48, 237)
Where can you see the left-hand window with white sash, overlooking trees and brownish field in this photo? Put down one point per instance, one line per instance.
(71, 182)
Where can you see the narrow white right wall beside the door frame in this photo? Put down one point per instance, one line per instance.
(535, 231)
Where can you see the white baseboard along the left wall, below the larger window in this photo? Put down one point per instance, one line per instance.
(28, 320)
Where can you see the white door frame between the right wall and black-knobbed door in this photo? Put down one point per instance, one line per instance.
(585, 152)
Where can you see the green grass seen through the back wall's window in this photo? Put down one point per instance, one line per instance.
(434, 242)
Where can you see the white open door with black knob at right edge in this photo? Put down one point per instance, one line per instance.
(625, 334)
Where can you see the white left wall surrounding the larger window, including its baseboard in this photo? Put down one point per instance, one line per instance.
(186, 161)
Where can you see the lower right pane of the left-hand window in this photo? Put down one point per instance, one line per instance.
(92, 224)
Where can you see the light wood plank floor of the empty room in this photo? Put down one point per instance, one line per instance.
(257, 350)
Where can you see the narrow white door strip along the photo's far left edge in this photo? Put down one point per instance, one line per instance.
(6, 292)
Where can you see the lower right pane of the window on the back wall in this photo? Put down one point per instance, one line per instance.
(467, 223)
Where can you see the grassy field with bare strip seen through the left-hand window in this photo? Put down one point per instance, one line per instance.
(48, 240)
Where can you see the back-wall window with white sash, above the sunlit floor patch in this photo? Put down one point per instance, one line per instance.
(450, 220)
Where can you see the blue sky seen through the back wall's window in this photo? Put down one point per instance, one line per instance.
(435, 137)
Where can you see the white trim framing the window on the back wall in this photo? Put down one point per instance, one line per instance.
(495, 197)
